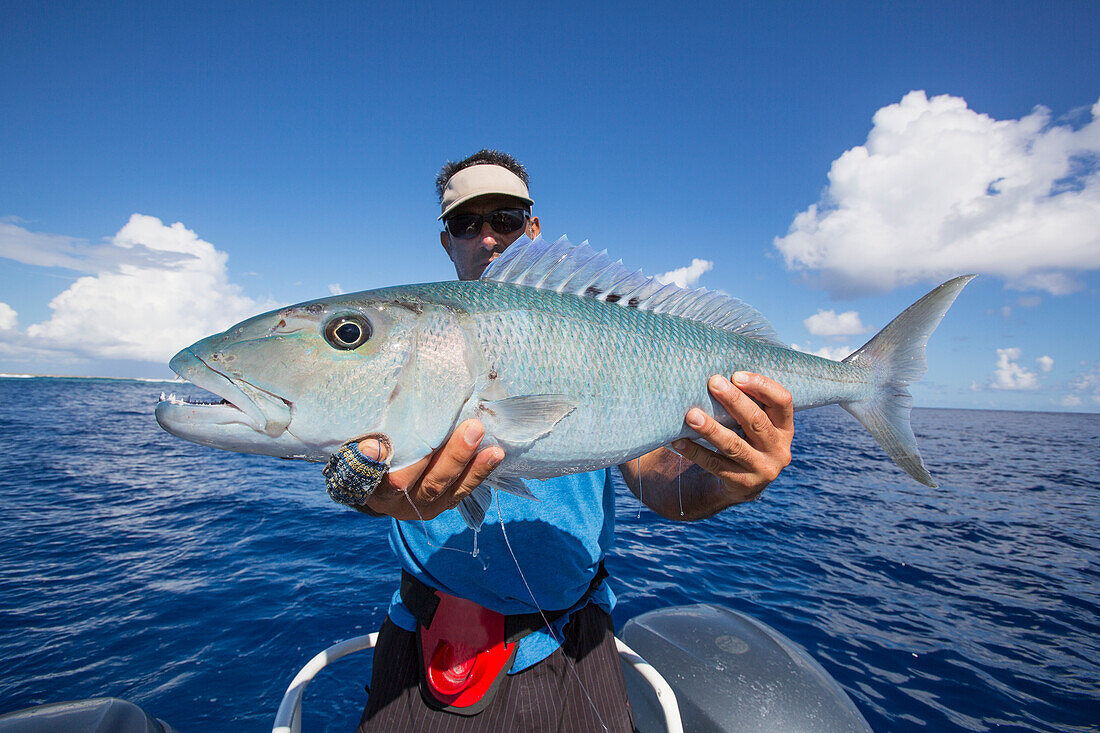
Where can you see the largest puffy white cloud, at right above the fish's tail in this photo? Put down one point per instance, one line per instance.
(940, 190)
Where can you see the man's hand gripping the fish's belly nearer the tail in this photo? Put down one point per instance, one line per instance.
(745, 466)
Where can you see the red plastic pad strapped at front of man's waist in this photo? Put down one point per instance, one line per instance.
(464, 653)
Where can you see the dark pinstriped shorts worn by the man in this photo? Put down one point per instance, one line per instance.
(580, 687)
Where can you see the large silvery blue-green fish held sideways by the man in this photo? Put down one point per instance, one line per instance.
(573, 362)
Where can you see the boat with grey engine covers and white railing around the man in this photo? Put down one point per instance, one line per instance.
(702, 669)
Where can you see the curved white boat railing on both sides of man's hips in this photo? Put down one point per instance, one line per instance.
(289, 718)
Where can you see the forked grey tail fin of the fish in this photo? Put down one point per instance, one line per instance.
(897, 356)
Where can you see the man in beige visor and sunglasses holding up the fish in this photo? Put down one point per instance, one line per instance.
(536, 565)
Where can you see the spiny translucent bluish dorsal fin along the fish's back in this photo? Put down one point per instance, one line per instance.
(581, 271)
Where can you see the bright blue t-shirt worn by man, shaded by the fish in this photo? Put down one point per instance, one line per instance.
(558, 542)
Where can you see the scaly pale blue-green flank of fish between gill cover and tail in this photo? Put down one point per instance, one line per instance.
(541, 342)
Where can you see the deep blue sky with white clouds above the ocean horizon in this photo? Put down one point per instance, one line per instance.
(815, 159)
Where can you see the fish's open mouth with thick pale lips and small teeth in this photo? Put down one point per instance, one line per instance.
(241, 402)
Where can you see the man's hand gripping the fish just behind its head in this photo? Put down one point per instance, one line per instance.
(437, 483)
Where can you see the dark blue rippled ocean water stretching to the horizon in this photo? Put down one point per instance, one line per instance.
(196, 583)
